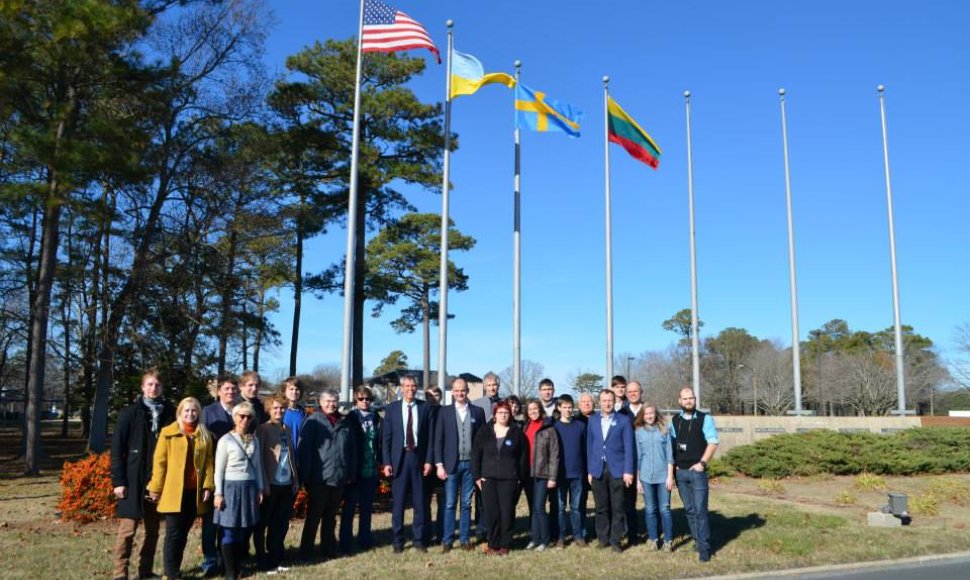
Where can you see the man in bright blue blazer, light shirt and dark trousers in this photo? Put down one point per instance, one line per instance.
(610, 453)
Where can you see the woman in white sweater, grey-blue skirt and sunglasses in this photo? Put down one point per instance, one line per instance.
(240, 486)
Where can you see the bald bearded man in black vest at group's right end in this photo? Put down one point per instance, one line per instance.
(694, 443)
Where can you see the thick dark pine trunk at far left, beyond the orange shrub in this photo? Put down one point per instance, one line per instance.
(38, 330)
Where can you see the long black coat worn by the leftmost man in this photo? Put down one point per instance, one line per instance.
(132, 451)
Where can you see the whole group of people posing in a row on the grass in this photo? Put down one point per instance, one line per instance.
(239, 462)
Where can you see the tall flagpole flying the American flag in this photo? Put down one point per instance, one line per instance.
(352, 222)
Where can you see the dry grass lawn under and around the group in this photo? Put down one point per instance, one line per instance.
(754, 528)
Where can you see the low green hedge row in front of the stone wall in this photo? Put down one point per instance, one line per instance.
(928, 450)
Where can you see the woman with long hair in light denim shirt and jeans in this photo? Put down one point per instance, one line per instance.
(655, 473)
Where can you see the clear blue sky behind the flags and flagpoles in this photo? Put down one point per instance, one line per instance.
(733, 57)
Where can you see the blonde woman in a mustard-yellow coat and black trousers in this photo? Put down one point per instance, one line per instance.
(182, 478)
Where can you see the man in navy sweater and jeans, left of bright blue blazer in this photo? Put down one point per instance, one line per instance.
(572, 450)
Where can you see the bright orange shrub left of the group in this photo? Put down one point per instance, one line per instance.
(86, 492)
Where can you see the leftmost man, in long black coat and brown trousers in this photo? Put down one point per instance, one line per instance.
(132, 448)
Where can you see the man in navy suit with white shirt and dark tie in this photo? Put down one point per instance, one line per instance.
(407, 459)
